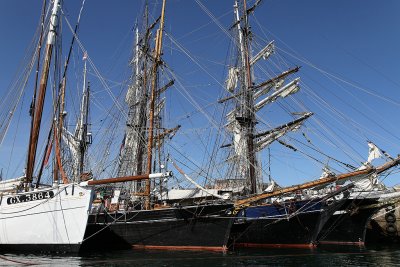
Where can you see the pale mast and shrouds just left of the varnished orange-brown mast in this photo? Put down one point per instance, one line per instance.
(132, 155)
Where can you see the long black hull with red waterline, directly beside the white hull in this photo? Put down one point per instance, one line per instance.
(203, 227)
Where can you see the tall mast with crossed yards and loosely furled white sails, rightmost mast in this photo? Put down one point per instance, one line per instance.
(251, 98)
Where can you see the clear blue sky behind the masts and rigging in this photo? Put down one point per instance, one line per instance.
(348, 51)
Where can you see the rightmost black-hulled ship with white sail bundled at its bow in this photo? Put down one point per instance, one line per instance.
(348, 225)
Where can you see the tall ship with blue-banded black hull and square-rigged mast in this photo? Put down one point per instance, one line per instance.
(280, 220)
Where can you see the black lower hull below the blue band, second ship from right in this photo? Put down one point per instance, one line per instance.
(299, 231)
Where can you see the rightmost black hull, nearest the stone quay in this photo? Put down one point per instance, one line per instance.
(348, 226)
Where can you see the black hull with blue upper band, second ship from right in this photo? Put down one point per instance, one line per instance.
(288, 225)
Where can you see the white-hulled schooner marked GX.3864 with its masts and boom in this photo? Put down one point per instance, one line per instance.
(38, 217)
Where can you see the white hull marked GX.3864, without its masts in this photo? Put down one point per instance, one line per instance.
(46, 220)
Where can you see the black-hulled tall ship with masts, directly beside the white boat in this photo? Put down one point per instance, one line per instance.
(137, 217)
